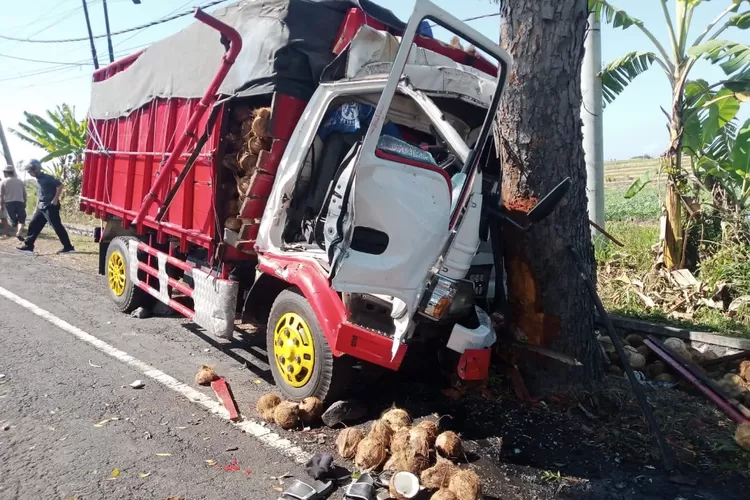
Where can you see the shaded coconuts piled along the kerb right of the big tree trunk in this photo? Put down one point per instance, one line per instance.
(733, 377)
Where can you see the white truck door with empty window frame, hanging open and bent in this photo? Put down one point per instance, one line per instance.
(390, 214)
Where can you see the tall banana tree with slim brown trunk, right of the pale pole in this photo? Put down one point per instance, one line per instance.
(676, 61)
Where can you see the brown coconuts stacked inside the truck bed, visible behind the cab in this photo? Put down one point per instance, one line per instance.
(248, 135)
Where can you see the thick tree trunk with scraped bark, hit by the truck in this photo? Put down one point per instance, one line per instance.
(540, 132)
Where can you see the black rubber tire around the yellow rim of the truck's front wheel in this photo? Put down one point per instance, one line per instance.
(329, 374)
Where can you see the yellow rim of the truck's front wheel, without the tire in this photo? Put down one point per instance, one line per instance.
(294, 349)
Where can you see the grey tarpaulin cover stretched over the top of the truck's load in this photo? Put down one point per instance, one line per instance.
(286, 46)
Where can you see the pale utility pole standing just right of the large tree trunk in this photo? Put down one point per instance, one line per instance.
(592, 114)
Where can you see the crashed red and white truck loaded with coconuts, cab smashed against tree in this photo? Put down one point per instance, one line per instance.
(315, 166)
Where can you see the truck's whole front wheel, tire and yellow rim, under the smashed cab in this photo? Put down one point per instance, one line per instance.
(298, 353)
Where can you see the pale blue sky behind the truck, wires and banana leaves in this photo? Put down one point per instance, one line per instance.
(633, 125)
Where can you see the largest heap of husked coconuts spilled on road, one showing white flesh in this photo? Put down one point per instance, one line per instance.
(395, 444)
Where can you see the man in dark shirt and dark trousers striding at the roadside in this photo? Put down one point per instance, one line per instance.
(48, 209)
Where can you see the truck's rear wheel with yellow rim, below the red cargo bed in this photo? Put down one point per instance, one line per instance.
(126, 296)
